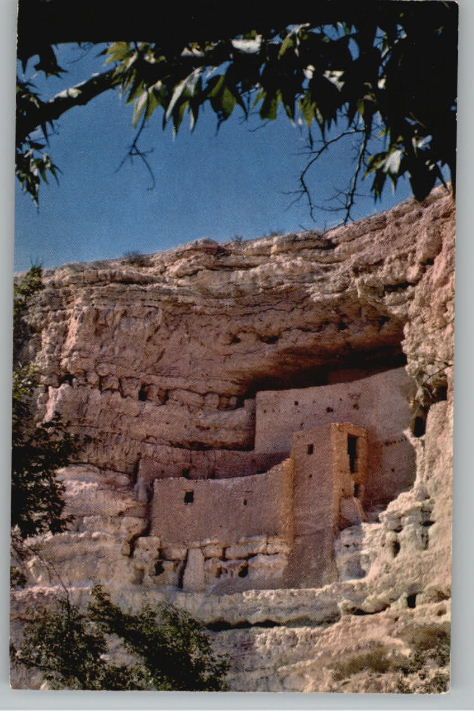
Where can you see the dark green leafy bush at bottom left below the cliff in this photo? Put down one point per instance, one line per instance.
(168, 649)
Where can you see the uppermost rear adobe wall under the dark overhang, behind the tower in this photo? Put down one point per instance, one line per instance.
(379, 403)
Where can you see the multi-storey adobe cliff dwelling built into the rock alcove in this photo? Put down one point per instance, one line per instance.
(323, 458)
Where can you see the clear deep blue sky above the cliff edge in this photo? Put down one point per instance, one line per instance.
(207, 184)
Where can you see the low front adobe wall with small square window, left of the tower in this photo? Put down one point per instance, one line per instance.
(225, 533)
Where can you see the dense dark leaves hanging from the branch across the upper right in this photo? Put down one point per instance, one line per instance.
(392, 80)
